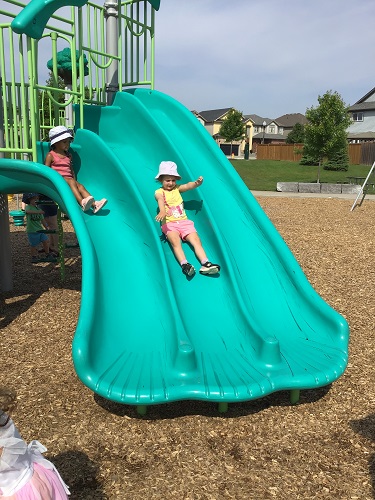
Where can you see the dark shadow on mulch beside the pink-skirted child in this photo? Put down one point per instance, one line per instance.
(79, 472)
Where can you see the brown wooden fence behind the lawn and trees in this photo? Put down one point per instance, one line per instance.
(359, 154)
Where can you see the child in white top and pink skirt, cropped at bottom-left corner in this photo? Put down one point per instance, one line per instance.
(24, 473)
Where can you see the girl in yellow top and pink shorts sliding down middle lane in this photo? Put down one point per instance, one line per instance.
(175, 224)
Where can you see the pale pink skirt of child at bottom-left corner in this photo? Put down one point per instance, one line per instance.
(44, 485)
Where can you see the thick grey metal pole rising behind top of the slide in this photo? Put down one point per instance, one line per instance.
(111, 14)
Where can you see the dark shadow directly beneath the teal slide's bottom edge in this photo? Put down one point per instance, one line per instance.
(170, 411)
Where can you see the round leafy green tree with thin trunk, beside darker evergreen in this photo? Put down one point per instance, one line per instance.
(325, 132)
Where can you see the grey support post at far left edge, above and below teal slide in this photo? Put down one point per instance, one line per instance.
(6, 281)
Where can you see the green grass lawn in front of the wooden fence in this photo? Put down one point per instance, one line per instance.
(263, 175)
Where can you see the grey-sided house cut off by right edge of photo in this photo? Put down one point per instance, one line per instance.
(363, 115)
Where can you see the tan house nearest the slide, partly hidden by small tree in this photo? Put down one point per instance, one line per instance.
(212, 120)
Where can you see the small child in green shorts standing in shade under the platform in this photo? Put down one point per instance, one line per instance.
(34, 224)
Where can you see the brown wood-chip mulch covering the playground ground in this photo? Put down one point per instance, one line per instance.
(263, 449)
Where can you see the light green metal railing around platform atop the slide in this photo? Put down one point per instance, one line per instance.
(29, 107)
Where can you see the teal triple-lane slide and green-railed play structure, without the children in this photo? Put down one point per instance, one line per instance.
(145, 334)
